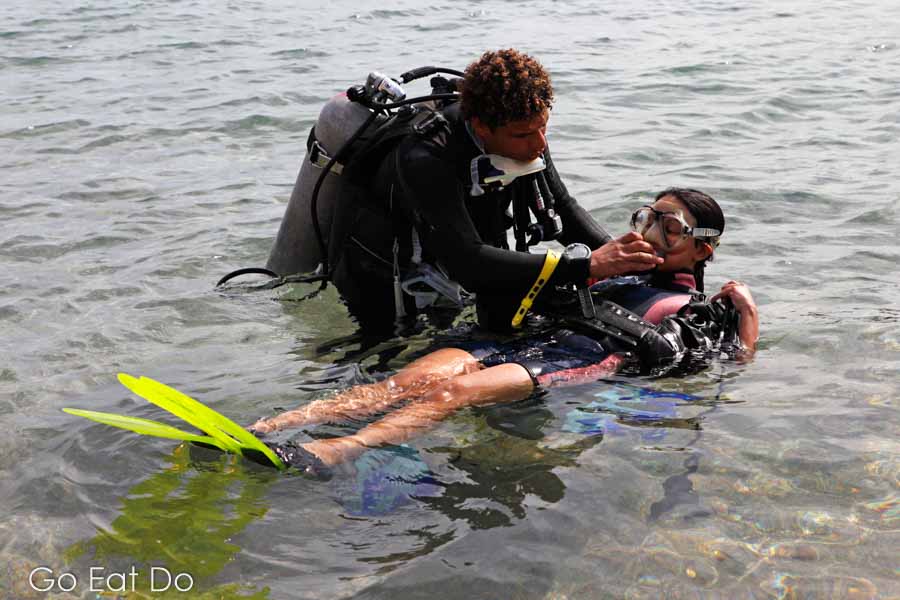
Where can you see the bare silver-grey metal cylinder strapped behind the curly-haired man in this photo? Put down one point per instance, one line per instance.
(296, 249)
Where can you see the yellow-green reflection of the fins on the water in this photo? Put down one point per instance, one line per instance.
(183, 519)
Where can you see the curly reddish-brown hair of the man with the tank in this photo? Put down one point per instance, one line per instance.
(503, 86)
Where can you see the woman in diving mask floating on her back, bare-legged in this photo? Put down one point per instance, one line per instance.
(682, 225)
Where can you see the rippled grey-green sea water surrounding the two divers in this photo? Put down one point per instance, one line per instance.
(150, 147)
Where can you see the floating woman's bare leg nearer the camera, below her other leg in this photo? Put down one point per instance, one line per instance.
(503, 383)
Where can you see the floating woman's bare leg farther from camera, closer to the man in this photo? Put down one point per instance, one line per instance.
(416, 379)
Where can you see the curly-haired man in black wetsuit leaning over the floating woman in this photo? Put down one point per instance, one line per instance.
(433, 211)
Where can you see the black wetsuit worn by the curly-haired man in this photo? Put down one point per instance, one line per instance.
(425, 184)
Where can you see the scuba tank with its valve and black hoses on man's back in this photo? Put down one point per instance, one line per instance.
(344, 139)
